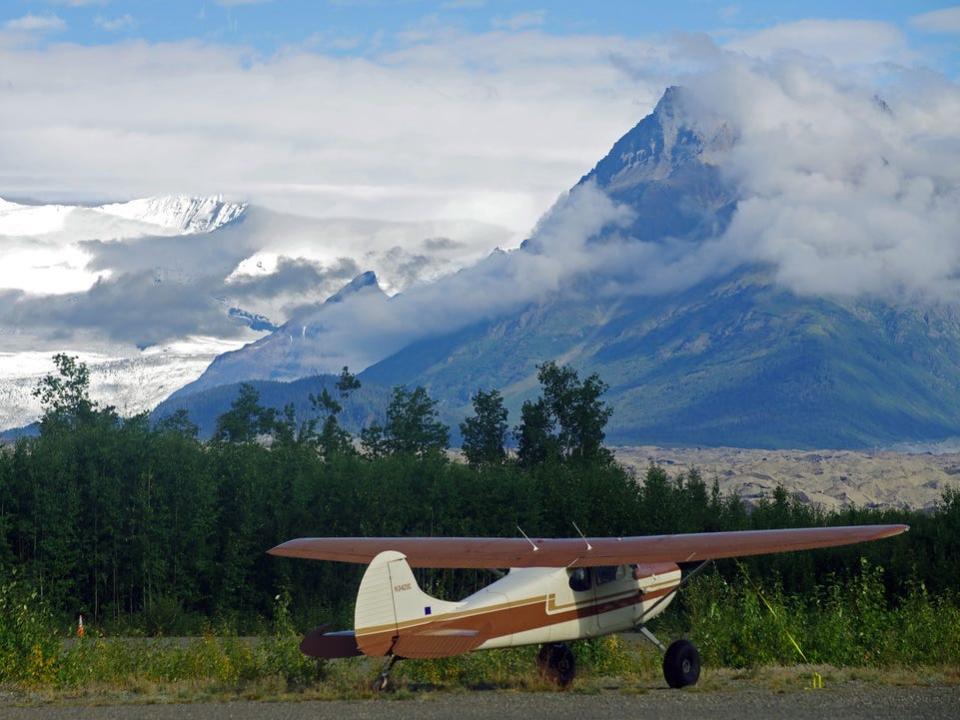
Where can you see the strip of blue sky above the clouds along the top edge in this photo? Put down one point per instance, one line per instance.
(361, 27)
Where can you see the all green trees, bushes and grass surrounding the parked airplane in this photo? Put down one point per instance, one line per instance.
(145, 530)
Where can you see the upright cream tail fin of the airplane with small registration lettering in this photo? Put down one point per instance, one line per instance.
(390, 603)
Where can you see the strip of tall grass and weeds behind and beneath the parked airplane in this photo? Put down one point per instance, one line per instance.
(846, 622)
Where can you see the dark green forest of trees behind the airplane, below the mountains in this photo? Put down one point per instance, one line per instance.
(142, 525)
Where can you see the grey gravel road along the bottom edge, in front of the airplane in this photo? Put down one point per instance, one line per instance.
(850, 702)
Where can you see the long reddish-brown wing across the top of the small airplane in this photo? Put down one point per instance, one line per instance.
(462, 552)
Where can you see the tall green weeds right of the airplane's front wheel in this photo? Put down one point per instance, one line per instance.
(845, 622)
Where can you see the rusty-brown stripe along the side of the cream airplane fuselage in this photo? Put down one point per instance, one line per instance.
(504, 619)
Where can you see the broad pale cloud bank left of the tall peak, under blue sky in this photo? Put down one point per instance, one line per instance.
(304, 132)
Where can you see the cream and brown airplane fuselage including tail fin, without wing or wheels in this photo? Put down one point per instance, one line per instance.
(526, 606)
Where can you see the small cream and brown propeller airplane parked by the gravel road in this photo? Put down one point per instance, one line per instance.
(556, 590)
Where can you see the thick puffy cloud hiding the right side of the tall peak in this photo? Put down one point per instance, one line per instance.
(841, 193)
